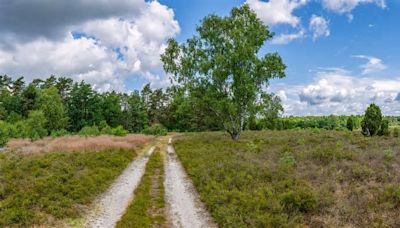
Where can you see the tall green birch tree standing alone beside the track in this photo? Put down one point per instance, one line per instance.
(222, 66)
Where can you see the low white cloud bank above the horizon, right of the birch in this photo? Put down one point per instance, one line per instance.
(337, 91)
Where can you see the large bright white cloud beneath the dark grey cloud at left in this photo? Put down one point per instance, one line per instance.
(110, 51)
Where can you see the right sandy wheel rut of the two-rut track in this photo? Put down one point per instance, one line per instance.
(184, 206)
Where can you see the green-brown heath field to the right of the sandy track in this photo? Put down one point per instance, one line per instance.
(294, 178)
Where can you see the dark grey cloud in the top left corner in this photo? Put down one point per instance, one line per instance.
(29, 19)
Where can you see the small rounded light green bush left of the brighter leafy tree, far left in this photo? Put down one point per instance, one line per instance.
(35, 125)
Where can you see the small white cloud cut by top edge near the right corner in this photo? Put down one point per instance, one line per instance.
(347, 6)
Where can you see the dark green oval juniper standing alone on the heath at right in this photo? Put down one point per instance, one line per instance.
(372, 120)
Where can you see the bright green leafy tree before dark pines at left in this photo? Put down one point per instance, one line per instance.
(50, 103)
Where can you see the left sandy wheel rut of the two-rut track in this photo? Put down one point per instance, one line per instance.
(112, 204)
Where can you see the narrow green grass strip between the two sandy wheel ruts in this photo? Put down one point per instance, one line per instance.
(147, 207)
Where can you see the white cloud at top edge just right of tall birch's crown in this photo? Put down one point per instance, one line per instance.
(276, 12)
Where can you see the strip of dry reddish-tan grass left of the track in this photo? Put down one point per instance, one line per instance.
(79, 143)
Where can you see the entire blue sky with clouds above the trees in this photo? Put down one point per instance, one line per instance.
(341, 55)
